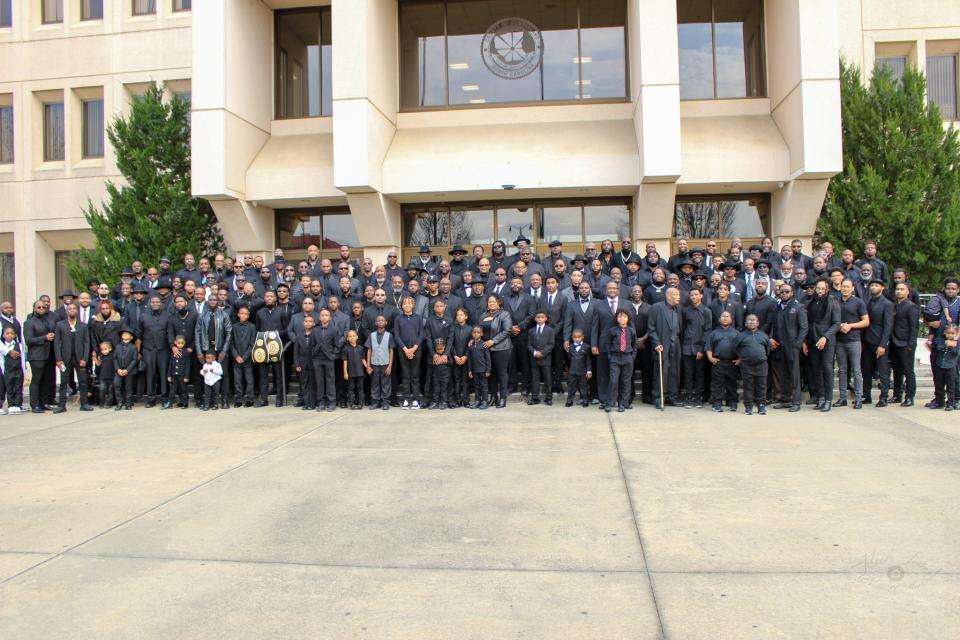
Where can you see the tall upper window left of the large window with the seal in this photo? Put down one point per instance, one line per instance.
(304, 80)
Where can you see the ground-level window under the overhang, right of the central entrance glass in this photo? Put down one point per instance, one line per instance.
(722, 217)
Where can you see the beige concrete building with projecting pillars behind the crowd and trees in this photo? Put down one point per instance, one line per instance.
(386, 124)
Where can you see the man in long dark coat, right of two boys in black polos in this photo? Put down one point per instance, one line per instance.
(789, 331)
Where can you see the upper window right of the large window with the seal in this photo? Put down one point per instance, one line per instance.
(721, 49)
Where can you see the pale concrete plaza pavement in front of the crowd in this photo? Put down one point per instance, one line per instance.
(528, 522)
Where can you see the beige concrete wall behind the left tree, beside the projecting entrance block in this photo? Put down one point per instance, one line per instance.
(41, 203)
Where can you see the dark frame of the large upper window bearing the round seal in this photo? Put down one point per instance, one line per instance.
(521, 103)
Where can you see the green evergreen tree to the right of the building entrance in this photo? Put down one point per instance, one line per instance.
(900, 185)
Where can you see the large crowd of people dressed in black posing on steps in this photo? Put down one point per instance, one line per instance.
(470, 329)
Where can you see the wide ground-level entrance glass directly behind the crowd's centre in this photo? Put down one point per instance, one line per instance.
(469, 224)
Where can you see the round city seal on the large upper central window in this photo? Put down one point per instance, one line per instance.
(512, 48)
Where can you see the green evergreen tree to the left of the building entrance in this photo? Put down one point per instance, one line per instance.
(153, 214)
